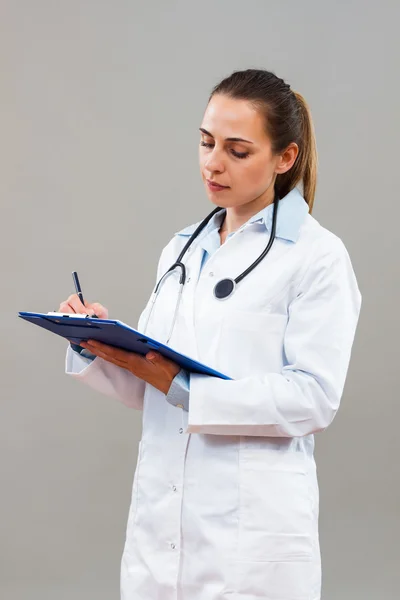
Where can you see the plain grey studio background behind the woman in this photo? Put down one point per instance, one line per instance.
(100, 107)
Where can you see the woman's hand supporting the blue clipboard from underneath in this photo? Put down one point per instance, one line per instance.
(153, 368)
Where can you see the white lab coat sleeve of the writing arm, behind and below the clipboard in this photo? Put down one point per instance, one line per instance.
(104, 376)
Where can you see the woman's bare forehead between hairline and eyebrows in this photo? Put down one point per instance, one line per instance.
(226, 117)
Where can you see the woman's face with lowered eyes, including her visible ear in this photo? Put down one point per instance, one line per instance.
(246, 166)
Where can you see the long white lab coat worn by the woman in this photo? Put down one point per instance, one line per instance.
(225, 496)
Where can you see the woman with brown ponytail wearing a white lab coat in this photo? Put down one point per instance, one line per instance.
(225, 494)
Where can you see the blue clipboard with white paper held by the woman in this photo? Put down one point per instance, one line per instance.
(114, 333)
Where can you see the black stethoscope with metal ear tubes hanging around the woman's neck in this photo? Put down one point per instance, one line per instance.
(224, 288)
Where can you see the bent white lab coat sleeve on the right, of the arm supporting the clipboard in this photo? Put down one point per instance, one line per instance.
(304, 397)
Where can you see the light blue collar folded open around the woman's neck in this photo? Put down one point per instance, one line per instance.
(292, 210)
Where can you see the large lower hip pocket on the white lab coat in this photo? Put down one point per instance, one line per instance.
(276, 511)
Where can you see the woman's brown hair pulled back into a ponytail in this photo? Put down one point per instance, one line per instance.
(287, 119)
